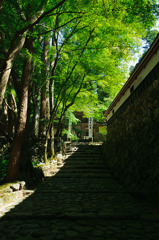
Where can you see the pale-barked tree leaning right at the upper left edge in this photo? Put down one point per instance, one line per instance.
(32, 14)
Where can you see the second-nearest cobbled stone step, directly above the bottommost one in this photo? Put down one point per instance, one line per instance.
(73, 204)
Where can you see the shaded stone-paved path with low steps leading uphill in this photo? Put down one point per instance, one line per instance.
(81, 202)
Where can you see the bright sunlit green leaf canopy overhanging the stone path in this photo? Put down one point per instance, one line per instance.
(89, 44)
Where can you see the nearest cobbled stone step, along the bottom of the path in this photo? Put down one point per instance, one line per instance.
(74, 228)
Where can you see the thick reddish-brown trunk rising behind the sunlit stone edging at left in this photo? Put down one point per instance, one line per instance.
(13, 166)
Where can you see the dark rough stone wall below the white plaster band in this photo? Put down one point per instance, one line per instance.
(132, 145)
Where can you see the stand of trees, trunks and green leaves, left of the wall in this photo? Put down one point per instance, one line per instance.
(60, 56)
